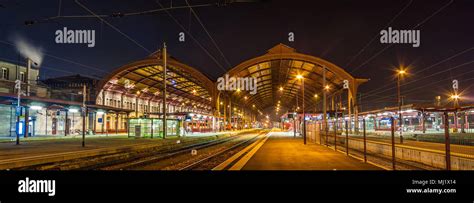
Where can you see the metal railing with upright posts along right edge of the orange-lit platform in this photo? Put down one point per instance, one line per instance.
(443, 151)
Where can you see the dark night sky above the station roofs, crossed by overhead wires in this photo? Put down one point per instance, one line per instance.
(336, 31)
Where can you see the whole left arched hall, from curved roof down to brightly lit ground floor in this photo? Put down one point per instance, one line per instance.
(138, 86)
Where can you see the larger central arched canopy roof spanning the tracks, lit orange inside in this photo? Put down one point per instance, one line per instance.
(279, 67)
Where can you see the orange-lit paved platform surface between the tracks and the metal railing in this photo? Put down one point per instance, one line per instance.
(283, 152)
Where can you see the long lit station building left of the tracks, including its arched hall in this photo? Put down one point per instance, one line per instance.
(128, 97)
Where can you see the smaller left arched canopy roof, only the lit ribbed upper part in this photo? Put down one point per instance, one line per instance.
(185, 85)
